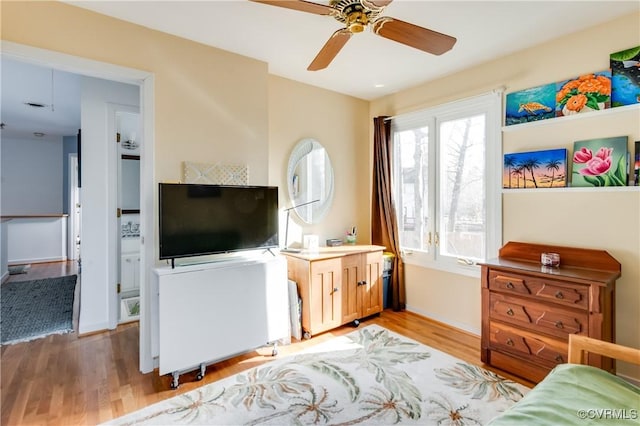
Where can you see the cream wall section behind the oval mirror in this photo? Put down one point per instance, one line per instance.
(340, 124)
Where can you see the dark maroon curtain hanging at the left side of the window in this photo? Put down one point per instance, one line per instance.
(384, 226)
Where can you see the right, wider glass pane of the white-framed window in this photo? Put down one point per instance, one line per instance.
(461, 178)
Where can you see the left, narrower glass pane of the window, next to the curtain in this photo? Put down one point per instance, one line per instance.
(412, 159)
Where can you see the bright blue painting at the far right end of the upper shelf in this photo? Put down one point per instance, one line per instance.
(625, 77)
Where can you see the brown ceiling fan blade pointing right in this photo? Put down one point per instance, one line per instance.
(412, 35)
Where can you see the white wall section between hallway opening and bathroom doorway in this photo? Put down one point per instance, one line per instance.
(99, 230)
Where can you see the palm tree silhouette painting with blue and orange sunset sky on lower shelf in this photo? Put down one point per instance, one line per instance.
(536, 169)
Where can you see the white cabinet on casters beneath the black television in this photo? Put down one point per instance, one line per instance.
(211, 311)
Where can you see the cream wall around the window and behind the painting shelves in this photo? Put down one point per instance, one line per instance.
(606, 219)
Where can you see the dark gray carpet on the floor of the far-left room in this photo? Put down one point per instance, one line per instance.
(34, 309)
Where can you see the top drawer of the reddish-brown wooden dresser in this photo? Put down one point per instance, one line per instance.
(576, 296)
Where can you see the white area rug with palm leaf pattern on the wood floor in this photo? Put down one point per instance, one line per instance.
(369, 376)
